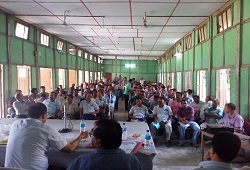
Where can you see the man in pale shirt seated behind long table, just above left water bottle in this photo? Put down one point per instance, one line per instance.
(88, 108)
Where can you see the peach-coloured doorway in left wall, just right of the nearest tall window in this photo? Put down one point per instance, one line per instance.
(46, 78)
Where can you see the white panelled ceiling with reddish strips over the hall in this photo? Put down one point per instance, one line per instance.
(114, 28)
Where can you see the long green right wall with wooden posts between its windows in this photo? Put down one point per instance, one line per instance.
(229, 49)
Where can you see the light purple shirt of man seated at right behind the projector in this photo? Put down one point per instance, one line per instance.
(234, 120)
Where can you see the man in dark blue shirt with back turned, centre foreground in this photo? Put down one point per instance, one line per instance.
(106, 139)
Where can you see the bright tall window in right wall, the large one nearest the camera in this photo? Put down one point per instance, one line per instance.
(223, 86)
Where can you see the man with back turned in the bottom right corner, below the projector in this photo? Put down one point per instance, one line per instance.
(225, 147)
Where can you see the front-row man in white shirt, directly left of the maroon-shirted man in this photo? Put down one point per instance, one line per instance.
(162, 114)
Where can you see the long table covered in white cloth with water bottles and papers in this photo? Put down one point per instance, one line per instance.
(63, 159)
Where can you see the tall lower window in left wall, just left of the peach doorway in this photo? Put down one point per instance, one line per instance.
(23, 79)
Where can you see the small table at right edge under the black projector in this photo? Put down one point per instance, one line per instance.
(244, 141)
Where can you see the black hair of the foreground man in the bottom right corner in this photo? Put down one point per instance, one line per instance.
(226, 145)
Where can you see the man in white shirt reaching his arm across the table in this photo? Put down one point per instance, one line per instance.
(30, 140)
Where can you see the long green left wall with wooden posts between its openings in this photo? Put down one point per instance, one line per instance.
(16, 51)
